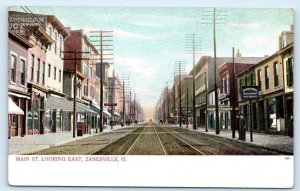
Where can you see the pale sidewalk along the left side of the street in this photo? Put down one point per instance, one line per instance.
(33, 143)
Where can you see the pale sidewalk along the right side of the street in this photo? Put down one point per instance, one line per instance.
(279, 143)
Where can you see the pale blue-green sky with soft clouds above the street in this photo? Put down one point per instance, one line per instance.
(148, 40)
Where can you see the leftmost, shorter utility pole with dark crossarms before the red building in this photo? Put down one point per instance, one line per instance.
(75, 85)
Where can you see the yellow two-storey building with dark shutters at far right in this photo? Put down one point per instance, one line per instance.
(272, 112)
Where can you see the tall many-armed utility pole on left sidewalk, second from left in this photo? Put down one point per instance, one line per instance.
(102, 43)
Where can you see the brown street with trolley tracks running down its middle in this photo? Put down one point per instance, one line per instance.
(153, 139)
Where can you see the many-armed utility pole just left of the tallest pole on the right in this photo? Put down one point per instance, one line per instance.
(195, 47)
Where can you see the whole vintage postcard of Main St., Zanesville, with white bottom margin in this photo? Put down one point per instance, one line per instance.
(120, 96)
